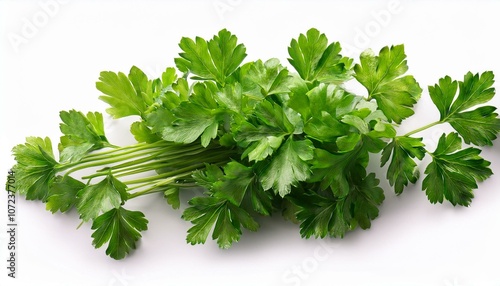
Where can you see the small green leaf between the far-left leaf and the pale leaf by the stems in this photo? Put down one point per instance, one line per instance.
(62, 195)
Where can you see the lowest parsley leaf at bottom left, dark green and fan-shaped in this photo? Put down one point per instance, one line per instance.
(120, 228)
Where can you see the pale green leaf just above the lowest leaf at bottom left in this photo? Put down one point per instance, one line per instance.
(99, 198)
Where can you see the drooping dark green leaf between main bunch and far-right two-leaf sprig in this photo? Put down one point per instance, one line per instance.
(403, 168)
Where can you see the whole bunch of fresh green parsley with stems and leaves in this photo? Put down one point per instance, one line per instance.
(258, 139)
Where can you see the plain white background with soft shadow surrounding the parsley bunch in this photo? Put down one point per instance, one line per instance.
(51, 55)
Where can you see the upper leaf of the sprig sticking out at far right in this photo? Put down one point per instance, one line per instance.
(479, 126)
